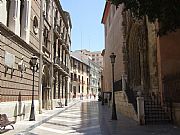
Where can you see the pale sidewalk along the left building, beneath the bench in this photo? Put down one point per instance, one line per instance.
(26, 125)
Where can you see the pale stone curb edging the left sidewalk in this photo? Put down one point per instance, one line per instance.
(45, 119)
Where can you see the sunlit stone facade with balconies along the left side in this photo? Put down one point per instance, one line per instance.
(28, 28)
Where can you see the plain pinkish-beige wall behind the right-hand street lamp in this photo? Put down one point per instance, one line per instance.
(113, 43)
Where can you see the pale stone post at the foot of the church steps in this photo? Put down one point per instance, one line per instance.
(140, 110)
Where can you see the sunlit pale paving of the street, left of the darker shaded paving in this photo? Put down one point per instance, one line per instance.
(82, 118)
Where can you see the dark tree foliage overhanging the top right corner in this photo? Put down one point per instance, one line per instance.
(167, 12)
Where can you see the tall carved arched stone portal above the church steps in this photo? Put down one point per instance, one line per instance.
(138, 68)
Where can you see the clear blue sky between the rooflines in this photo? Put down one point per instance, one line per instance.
(87, 31)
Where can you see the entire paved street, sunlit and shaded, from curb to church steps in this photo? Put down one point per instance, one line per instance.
(90, 118)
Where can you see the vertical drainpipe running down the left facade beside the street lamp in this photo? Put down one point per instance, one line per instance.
(40, 57)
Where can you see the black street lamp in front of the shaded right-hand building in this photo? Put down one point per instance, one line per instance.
(114, 116)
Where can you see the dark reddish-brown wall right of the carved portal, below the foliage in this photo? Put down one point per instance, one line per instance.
(168, 55)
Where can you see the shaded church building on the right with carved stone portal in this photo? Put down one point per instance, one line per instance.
(143, 64)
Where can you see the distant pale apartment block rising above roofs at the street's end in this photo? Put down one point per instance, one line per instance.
(95, 56)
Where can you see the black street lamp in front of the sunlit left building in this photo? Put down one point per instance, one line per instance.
(34, 68)
